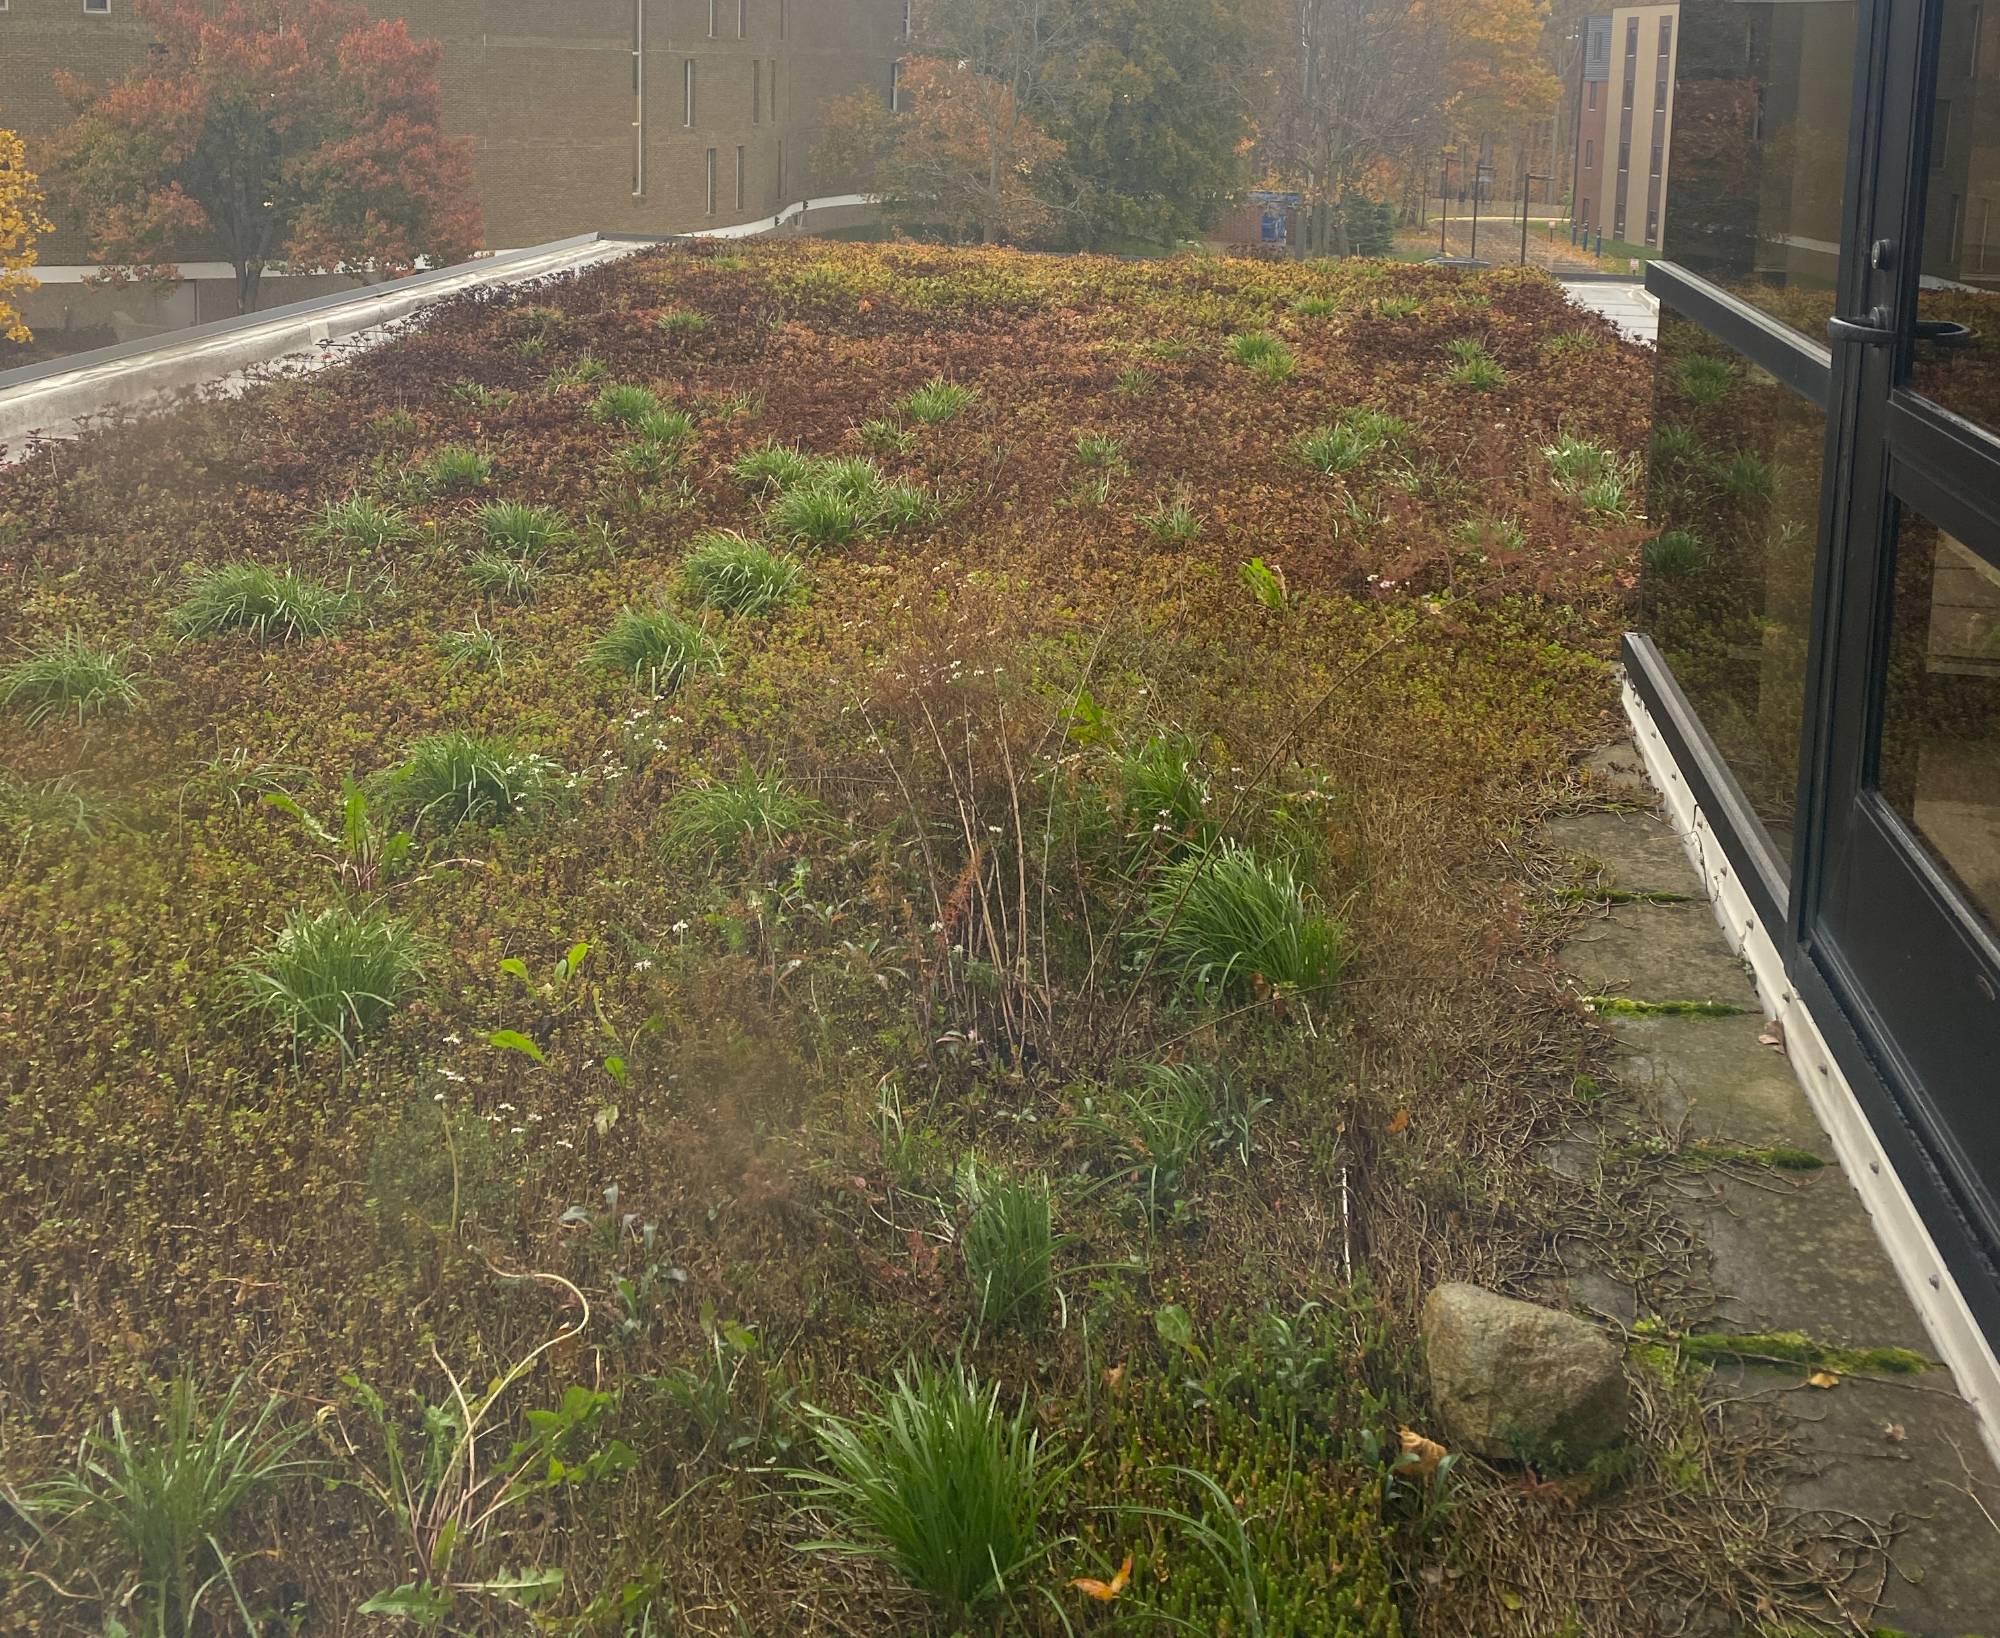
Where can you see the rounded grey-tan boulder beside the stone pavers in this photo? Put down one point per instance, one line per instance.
(1519, 1381)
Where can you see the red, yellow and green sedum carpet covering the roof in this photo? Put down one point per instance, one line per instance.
(821, 941)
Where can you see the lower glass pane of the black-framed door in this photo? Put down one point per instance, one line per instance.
(1941, 715)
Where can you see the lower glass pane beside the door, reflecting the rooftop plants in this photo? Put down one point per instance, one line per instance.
(1727, 583)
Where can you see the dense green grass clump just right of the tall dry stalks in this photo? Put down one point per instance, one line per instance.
(1227, 919)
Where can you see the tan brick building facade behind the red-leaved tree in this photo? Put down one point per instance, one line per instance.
(645, 117)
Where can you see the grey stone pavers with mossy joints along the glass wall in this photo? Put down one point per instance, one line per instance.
(1791, 1251)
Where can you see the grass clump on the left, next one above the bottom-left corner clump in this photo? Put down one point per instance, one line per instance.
(337, 975)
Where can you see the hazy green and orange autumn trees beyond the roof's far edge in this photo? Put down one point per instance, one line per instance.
(1135, 123)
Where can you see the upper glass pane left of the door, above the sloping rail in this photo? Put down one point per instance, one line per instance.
(1761, 139)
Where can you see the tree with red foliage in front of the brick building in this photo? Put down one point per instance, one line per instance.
(275, 131)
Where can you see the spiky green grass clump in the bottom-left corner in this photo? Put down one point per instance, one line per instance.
(165, 1497)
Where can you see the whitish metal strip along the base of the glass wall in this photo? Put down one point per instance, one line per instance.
(1953, 1329)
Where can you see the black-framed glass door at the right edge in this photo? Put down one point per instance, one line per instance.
(1903, 897)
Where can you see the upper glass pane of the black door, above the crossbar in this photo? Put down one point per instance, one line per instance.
(1961, 271)
